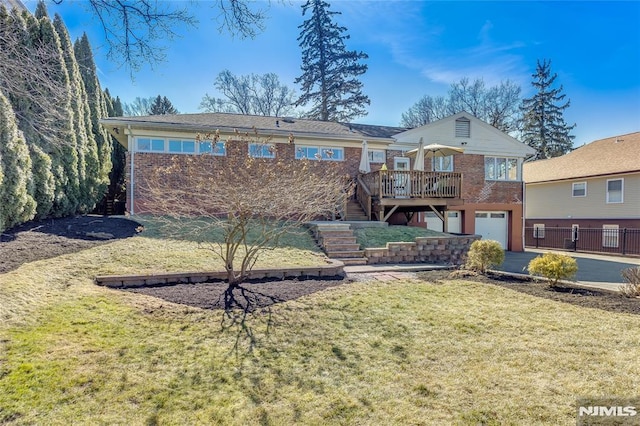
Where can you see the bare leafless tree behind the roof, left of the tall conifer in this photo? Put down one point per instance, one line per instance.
(250, 94)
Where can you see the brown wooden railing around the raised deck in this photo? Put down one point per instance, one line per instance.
(412, 184)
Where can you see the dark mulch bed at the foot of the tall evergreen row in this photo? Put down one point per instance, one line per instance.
(53, 237)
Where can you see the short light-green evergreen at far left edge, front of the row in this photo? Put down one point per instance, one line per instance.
(16, 204)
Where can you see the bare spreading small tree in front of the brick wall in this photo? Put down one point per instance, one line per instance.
(251, 204)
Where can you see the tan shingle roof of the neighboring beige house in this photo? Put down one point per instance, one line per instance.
(618, 154)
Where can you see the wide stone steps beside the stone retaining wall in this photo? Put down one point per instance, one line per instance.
(338, 242)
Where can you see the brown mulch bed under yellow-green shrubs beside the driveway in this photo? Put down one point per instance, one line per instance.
(575, 295)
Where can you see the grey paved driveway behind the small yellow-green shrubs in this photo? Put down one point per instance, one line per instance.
(591, 268)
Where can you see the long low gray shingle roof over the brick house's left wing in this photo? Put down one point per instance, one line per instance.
(244, 123)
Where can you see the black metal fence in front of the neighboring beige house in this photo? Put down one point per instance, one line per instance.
(624, 241)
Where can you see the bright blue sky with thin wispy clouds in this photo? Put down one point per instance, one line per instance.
(415, 48)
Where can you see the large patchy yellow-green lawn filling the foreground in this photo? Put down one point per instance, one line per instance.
(401, 352)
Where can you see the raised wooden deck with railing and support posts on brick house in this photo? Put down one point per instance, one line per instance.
(384, 192)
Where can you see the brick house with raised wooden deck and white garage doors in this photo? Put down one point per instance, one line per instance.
(480, 190)
